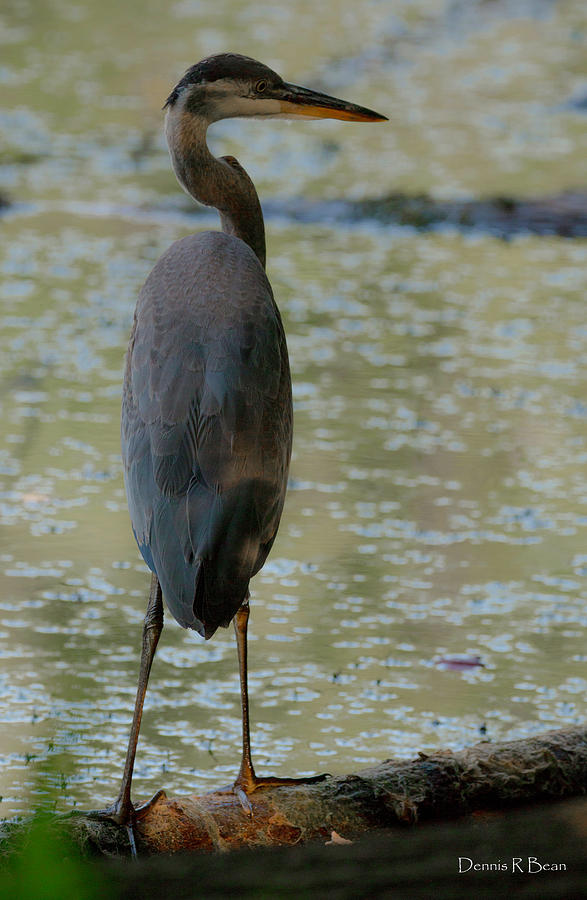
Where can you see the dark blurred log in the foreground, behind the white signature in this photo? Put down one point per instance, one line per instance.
(517, 853)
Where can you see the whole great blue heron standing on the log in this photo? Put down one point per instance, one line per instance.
(207, 409)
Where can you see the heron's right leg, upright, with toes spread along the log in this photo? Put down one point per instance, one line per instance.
(247, 781)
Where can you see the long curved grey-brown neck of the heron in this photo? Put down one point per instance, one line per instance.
(222, 183)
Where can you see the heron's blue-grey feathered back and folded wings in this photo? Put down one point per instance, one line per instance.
(206, 425)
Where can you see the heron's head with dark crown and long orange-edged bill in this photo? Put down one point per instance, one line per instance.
(230, 85)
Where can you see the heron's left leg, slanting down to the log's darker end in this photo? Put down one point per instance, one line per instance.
(122, 811)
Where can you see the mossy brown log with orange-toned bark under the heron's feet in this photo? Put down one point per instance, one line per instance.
(434, 786)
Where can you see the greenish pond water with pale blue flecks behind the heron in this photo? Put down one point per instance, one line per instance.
(438, 504)
